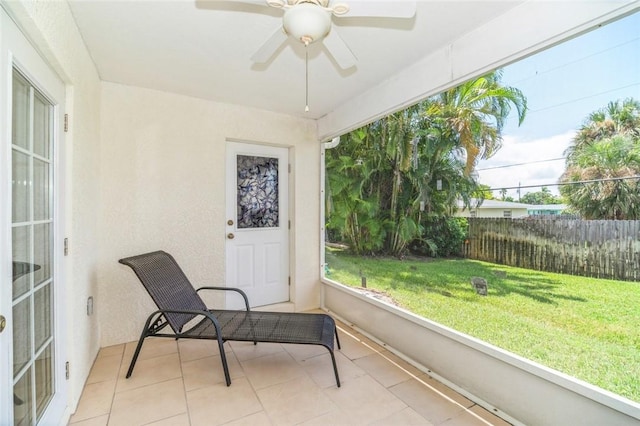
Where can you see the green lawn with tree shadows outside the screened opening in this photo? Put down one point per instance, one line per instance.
(585, 327)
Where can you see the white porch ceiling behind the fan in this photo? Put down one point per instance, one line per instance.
(203, 49)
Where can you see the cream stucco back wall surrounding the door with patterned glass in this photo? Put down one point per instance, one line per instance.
(163, 187)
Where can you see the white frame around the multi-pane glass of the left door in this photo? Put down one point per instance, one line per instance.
(16, 51)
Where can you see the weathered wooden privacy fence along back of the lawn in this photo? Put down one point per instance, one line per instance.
(592, 248)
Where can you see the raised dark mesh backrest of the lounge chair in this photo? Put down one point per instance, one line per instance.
(167, 285)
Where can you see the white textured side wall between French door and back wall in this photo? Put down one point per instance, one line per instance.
(51, 28)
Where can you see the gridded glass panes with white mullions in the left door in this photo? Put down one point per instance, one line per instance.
(32, 224)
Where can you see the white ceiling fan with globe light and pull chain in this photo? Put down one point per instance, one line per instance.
(310, 21)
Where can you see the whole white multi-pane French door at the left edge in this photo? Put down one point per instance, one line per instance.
(33, 387)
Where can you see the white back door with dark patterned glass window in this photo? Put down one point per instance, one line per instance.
(257, 228)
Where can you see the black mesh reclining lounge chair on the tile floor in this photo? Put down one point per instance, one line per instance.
(179, 303)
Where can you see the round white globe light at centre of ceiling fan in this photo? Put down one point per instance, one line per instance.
(307, 22)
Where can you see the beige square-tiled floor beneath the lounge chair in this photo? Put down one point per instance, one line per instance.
(181, 383)
